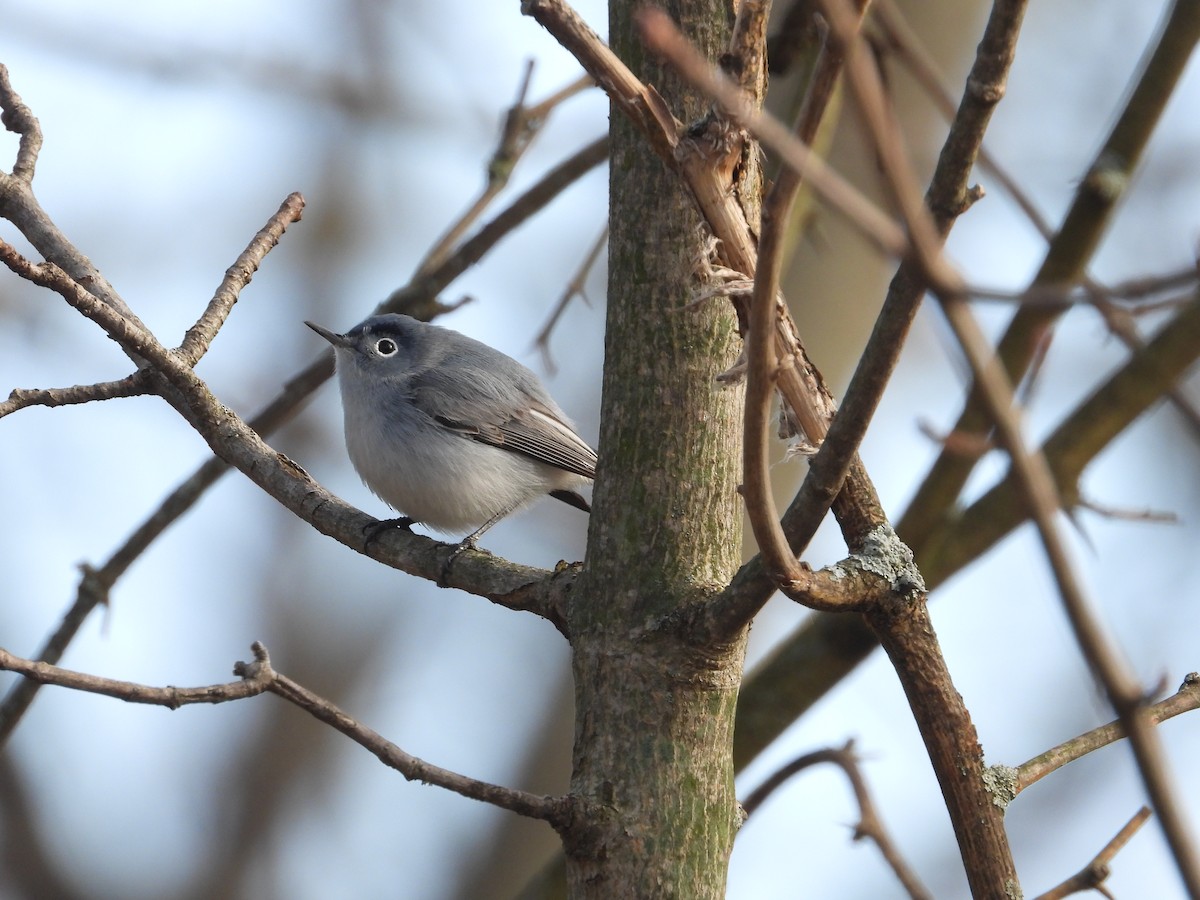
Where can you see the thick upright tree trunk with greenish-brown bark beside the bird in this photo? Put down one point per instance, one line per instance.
(655, 712)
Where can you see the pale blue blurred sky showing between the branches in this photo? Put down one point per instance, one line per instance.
(164, 178)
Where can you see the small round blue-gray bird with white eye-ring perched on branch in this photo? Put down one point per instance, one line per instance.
(449, 431)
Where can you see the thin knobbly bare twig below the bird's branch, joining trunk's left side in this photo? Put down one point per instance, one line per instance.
(260, 677)
